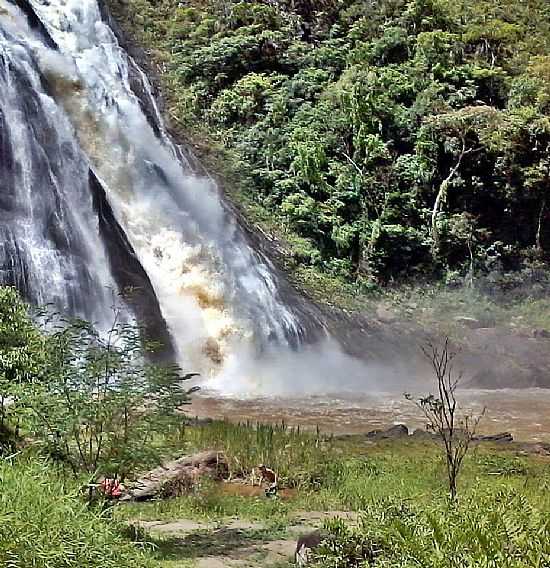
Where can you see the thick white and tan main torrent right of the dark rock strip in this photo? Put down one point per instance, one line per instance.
(219, 299)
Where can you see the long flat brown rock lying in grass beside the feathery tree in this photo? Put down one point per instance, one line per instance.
(177, 477)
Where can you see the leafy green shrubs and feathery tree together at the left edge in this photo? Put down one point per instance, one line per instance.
(89, 397)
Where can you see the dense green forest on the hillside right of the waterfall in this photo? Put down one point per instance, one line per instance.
(392, 140)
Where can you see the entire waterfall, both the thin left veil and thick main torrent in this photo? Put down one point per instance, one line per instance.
(71, 127)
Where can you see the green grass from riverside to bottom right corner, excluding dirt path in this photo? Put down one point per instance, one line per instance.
(398, 487)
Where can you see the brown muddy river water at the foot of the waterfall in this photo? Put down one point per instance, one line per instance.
(525, 413)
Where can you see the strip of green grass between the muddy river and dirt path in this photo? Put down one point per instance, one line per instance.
(340, 474)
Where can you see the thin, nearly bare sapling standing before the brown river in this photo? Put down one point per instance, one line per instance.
(456, 430)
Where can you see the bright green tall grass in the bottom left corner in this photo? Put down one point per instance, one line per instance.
(44, 523)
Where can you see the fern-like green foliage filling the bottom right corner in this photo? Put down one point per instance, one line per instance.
(499, 528)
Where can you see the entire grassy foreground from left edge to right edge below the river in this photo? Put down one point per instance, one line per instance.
(397, 488)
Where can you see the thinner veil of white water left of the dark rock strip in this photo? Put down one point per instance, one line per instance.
(49, 242)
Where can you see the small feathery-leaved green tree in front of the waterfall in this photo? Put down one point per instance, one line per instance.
(100, 406)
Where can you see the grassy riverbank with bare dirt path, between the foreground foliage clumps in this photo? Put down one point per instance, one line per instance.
(235, 524)
